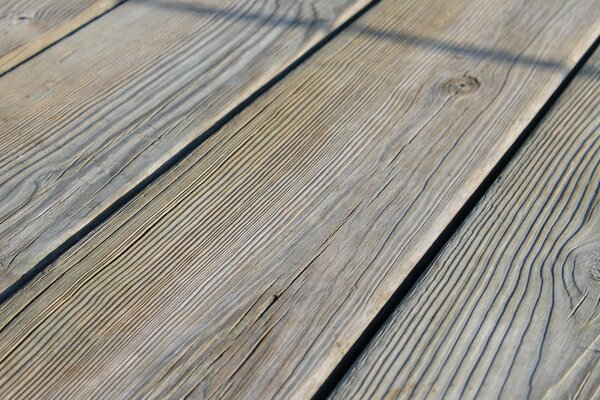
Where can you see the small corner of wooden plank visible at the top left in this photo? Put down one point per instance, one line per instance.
(29, 26)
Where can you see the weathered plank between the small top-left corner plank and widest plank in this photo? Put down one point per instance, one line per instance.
(87, 120)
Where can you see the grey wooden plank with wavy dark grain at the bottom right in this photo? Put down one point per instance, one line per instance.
(510, 308)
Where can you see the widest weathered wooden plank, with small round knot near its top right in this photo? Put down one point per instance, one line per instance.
(251, 267)
